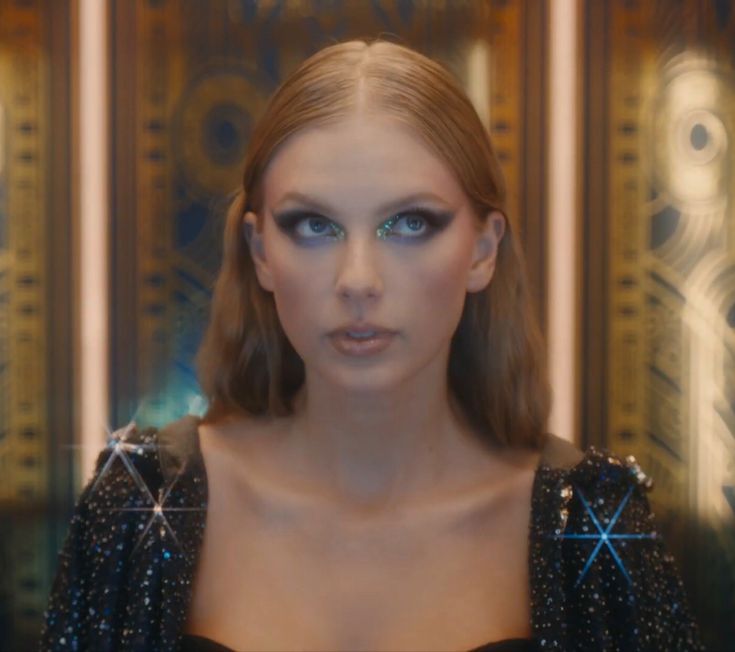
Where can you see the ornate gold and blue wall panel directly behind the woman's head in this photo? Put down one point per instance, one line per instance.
(189, 79)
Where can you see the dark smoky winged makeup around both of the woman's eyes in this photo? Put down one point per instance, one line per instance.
(433, 222)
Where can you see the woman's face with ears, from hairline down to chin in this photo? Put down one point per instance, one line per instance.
(339, 245)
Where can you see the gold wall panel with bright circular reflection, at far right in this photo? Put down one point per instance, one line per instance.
(660, 272)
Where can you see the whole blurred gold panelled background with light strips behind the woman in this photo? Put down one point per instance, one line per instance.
(123, 126)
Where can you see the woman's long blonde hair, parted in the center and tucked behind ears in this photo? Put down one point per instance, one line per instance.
(497, 372)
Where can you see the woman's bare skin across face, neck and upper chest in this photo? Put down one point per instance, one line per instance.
(373, 518)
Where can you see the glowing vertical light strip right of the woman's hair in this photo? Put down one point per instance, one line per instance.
(562, 211)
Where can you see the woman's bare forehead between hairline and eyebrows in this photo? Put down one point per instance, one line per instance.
(363, 158)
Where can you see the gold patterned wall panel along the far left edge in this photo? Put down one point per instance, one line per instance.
(36, 465)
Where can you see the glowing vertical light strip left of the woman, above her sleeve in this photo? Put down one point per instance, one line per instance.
(93, 250)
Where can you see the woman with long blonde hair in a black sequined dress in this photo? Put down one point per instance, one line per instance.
(373, 471)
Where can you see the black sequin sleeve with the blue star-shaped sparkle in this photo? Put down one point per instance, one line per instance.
(619, 587)
